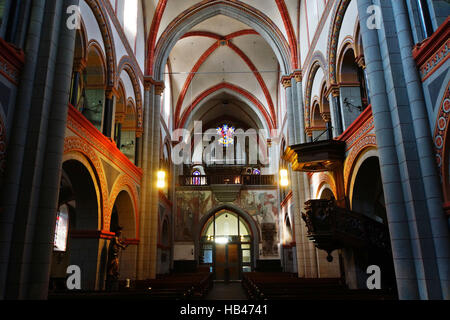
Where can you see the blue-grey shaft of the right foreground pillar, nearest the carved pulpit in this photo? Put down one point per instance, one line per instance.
(398, 219)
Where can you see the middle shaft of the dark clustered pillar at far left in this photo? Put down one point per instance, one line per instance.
(26, 216)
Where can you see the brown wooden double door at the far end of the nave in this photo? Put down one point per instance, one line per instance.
(227, 262)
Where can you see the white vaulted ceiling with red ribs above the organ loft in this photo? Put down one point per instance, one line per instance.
(224, 54)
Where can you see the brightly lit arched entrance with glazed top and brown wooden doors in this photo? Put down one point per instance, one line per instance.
(226, 246)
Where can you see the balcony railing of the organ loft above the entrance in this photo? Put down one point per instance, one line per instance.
(223, 179)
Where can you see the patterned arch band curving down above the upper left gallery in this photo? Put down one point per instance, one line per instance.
(108, 40)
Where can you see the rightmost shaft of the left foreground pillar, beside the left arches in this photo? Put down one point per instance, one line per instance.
(49, 194)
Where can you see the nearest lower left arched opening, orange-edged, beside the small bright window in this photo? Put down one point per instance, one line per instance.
(81, 199)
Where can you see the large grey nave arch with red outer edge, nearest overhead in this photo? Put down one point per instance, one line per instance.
(205, 10)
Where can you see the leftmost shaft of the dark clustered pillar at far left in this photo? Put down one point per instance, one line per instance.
(16, 148)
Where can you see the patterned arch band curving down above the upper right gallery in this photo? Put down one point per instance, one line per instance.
(333, 39)
